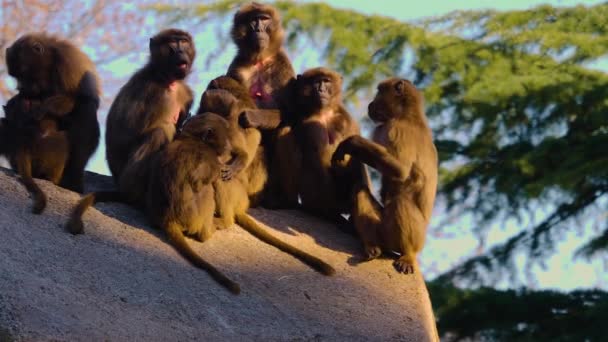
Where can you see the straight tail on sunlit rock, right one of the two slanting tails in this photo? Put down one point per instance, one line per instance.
(254, 228)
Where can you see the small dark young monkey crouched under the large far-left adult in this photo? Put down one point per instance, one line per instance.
(34, 145)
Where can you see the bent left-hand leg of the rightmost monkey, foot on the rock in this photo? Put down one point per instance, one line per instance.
(366, 215)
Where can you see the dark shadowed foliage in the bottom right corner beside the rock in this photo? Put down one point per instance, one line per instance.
(522, 315)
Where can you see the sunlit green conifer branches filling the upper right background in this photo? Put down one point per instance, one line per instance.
(519, 118)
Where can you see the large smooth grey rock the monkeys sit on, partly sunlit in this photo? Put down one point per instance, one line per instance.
(121, 281)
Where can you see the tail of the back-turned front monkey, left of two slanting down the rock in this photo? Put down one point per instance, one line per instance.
(179, 242)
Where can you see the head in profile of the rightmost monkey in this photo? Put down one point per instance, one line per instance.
(394, 99)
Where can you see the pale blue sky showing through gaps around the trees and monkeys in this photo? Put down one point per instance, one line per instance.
(439, 253)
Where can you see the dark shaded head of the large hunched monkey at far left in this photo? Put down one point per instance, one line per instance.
(30, 63)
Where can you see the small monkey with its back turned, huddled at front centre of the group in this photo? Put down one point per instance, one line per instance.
(179, 196)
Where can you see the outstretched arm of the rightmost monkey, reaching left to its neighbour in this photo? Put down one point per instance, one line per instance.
(373, 154)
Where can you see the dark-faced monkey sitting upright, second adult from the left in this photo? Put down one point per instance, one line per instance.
(147, 110)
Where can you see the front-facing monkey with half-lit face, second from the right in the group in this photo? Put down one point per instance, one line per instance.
(323, 123)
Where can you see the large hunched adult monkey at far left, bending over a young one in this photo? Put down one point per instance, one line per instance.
(54, 70)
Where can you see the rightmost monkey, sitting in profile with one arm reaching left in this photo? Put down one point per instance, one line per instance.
(402, 150)
